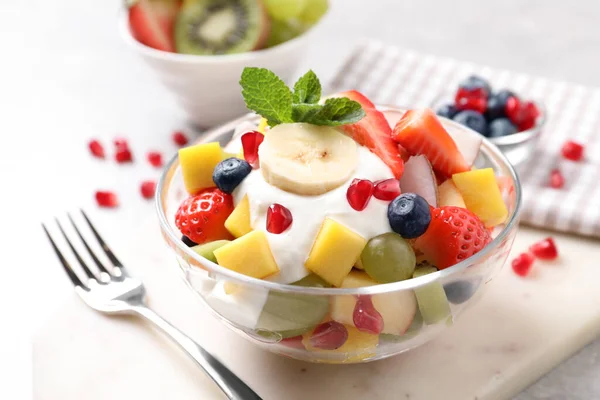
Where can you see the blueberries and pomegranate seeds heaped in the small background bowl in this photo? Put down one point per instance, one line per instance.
(492, 114)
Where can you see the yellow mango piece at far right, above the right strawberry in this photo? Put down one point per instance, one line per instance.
(482, 196)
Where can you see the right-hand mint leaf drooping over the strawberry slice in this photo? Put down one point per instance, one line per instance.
(335, 112)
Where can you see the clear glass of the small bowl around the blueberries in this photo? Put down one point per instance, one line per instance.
(517, 147)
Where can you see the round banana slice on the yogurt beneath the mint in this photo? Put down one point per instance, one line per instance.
(307, 159)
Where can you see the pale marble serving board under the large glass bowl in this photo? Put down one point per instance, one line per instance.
(518, 331)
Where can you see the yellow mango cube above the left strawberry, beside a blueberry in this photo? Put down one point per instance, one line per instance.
(197, 165)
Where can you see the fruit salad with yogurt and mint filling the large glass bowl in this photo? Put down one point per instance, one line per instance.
(333, 193)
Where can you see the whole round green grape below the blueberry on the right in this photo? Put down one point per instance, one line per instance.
(388, 258)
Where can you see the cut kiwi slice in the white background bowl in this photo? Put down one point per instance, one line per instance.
(209, 27)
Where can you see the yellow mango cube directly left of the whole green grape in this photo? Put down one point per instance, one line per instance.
(334, 252)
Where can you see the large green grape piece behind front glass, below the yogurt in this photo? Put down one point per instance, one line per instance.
(291, 315)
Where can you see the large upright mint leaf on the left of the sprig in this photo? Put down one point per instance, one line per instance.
(267, 95)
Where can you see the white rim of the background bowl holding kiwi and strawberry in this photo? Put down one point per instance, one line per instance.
(248, 56)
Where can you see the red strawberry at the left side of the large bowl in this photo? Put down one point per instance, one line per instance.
(202, 217)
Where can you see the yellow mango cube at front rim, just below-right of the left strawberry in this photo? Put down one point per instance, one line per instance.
(249, 255)
